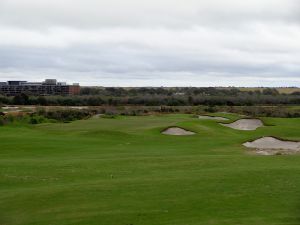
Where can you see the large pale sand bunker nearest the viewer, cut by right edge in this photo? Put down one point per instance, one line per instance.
(273, 146)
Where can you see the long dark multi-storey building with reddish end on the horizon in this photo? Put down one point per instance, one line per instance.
(48, 87)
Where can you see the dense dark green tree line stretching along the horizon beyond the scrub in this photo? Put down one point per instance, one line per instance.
(159, 96)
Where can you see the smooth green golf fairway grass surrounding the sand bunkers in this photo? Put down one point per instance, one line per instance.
(123, 171)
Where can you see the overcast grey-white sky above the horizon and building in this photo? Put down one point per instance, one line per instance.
(152, 42)
